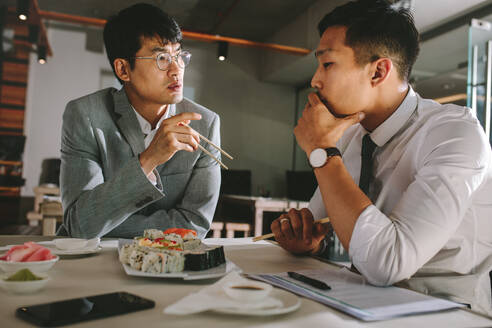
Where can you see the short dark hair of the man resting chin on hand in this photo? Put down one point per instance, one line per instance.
(376, 29)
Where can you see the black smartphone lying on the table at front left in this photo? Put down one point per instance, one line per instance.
(82, 309)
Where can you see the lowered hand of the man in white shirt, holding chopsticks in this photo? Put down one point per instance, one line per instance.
(297, 233)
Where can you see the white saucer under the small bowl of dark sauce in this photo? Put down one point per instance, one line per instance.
(290, 302)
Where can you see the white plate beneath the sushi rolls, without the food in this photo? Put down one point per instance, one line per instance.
(211, 273)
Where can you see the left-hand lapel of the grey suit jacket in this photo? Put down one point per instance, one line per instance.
(128, 123)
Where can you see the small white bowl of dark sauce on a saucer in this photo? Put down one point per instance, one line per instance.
(247, 290)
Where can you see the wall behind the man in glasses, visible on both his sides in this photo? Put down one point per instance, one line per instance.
(257, 118)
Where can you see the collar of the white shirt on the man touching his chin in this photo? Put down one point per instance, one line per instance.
(386, 130)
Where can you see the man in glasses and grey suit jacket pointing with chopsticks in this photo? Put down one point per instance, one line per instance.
(129, 156)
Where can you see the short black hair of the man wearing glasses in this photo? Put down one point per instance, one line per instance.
(123, 32)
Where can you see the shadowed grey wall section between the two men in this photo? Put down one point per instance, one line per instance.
(257, 118)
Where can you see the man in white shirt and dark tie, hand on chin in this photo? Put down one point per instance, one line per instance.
(424, 218)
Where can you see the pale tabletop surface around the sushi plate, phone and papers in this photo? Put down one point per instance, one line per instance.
(102, 273)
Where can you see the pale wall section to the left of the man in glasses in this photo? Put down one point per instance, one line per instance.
(71, 73)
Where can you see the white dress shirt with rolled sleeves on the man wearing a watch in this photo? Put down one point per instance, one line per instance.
(430, 225)
